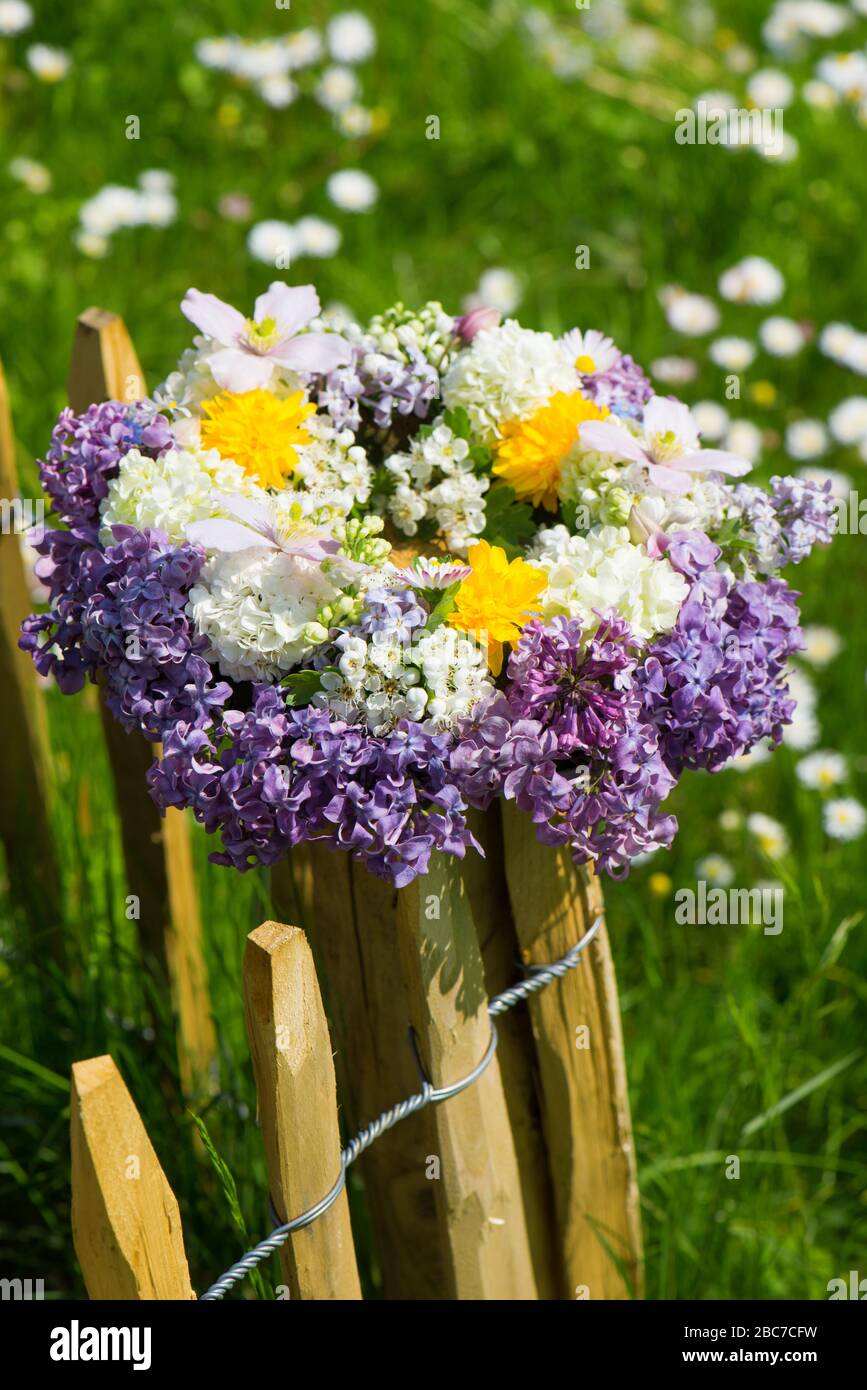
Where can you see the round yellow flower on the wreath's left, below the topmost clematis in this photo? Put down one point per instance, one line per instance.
(259, 432)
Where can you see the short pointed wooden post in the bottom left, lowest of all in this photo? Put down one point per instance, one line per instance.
(126, 1220)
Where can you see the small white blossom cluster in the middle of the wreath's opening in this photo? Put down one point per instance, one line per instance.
(436, 482)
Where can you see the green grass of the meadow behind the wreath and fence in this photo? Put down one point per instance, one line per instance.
(738, 1045)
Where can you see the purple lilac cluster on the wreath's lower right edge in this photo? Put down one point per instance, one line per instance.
(716, 685)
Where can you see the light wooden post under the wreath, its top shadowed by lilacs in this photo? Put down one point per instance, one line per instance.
(479, 1191)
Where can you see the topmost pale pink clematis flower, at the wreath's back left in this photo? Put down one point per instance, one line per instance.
(252, 348)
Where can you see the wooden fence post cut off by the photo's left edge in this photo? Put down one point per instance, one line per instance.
(26, 826)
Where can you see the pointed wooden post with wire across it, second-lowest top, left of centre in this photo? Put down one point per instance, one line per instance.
(298, 1110)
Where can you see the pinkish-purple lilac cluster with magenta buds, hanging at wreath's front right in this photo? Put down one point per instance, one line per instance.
(568, 744)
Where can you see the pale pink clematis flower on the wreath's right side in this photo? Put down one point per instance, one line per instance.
(669, 447)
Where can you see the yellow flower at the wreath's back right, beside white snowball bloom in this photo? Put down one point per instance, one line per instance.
(533, 451)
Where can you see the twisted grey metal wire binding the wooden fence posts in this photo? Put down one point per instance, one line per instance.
(538, 979)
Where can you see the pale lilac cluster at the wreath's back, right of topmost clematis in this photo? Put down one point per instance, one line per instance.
(383, 387)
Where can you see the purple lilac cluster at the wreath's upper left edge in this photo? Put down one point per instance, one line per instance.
(85, 451)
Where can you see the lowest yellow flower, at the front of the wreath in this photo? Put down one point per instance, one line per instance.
(497, 600)
